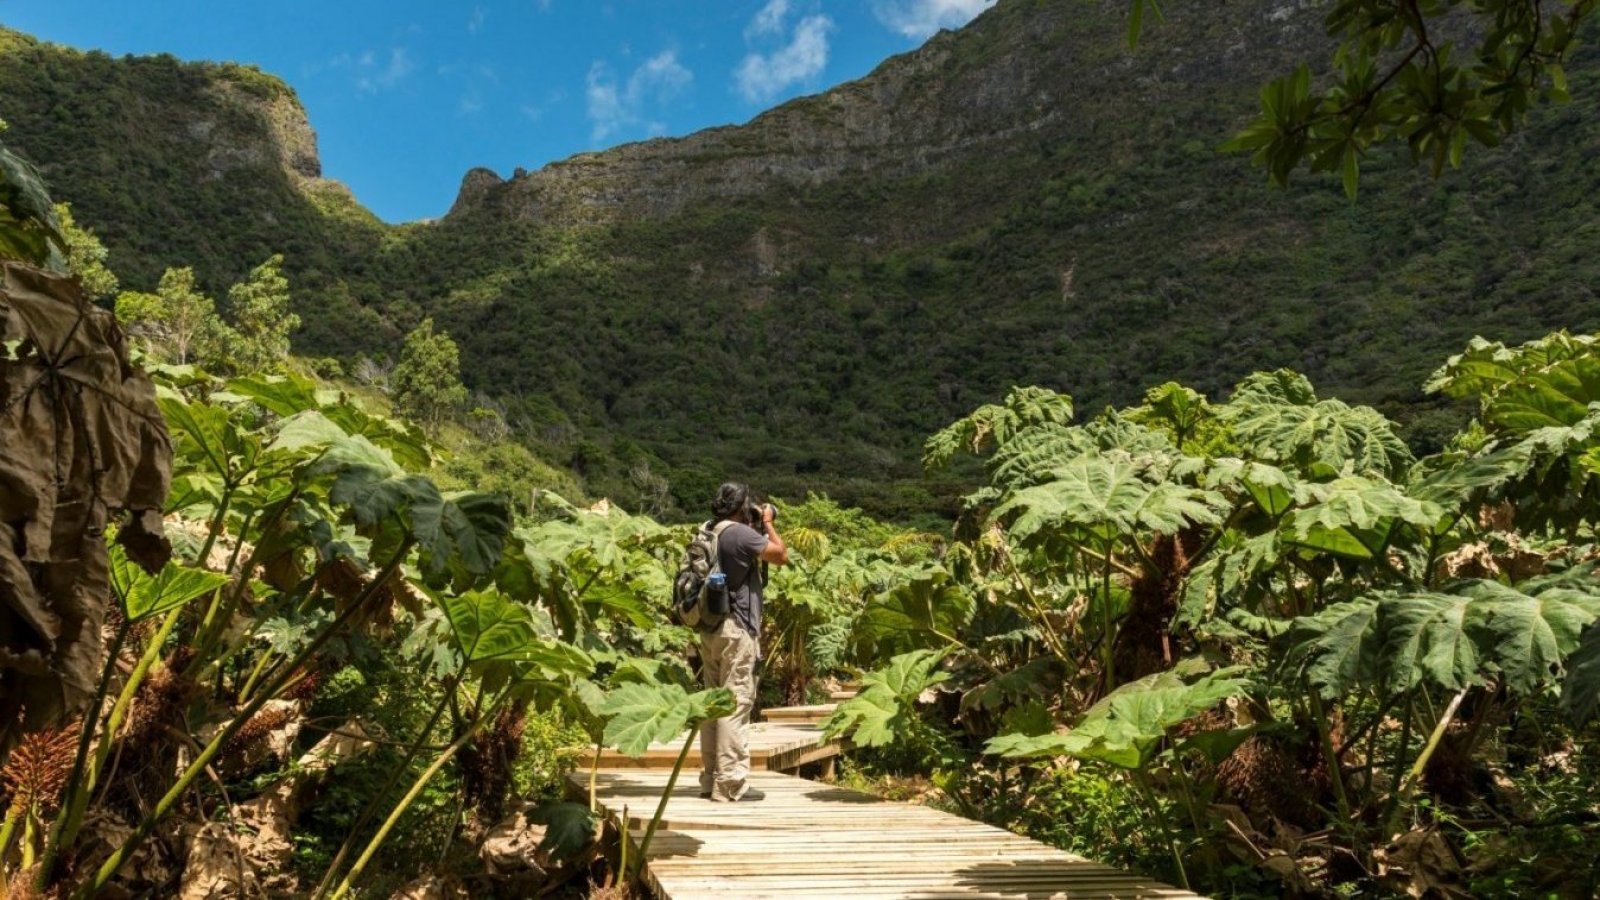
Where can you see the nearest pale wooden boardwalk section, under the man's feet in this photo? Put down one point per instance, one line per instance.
(812, 840)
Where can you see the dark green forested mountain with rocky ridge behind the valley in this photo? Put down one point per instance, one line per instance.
(802, 299)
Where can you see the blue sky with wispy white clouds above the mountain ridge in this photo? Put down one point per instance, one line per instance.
(409, 95)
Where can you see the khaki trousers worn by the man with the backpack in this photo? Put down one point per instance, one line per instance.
(729, 661)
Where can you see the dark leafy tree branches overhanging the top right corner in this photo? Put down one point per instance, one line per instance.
(1399, 76)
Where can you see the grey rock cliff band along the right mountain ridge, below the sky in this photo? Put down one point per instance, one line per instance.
(1012, 74)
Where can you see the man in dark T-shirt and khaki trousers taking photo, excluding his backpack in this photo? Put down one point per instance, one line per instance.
(730, 656)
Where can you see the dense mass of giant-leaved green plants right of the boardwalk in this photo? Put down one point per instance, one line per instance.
(1230, 625)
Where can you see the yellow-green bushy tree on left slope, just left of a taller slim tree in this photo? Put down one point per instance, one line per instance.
(177, 323)
